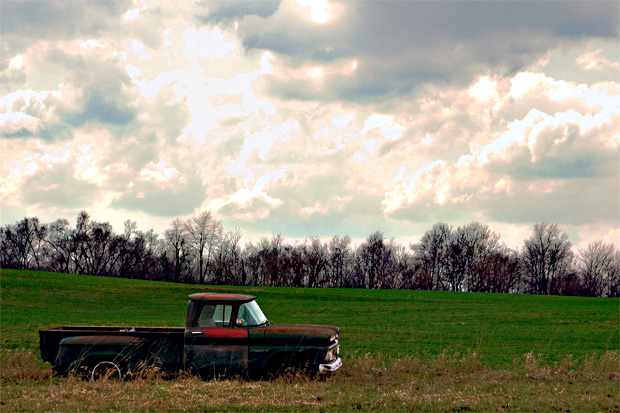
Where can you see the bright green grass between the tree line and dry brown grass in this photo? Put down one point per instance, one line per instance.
(419, 324)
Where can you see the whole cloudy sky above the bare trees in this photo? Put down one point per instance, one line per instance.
(314, 118)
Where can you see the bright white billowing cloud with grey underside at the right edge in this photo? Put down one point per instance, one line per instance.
(544, 166)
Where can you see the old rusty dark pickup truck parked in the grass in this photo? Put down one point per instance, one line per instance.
(225, 334)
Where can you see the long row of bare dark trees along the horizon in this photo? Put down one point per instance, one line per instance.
(198, 250)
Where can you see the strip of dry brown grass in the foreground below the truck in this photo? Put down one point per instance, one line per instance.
(450, 382)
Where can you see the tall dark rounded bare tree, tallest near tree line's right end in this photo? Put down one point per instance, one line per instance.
(546, 255)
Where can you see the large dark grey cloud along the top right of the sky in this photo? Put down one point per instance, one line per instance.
(410, 43)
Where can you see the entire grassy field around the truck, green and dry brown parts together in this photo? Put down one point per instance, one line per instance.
(403, 350)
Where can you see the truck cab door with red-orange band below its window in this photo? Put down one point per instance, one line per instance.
(213, 346)
